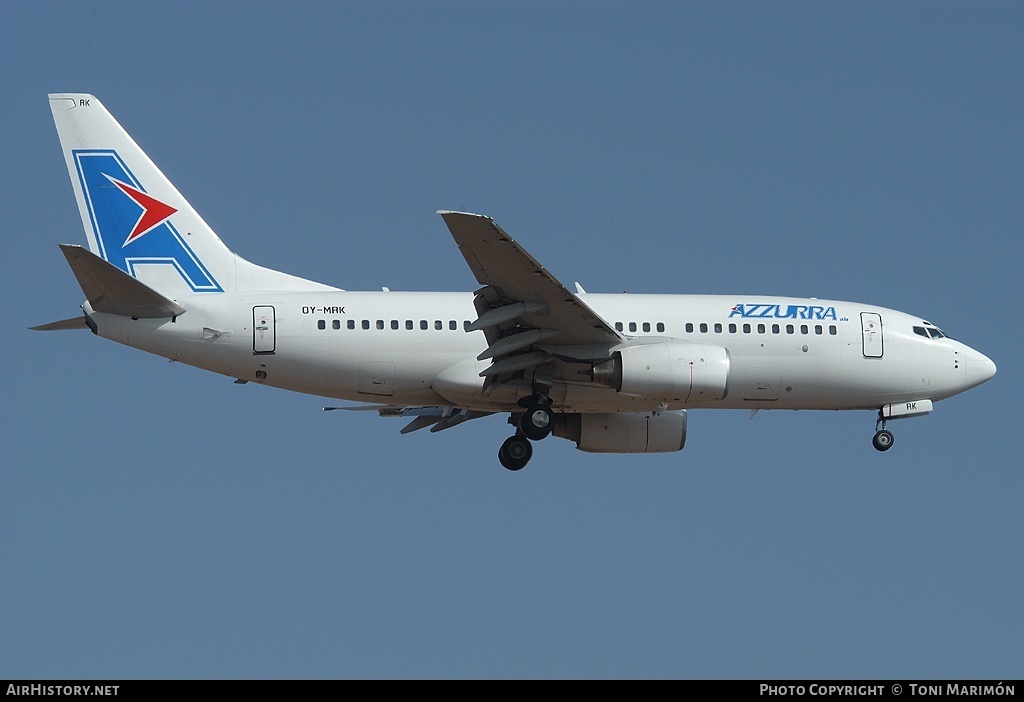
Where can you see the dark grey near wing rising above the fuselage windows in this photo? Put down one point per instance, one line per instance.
(522, 304)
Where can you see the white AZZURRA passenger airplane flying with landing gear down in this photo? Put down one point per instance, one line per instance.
(613, 373)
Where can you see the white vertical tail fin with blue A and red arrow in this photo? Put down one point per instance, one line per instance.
(135, 217)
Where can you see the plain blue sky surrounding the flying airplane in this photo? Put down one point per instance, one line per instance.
(157, 521)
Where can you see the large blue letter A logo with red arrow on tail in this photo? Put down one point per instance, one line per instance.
(134, 229)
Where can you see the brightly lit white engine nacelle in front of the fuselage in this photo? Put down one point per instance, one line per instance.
(669, 371)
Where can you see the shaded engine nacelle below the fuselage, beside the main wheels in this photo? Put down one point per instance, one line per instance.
(624, 432)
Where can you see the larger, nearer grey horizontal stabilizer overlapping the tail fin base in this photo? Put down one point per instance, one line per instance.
(111, 290)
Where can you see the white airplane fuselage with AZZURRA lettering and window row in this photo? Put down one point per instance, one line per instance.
(412, 349)
